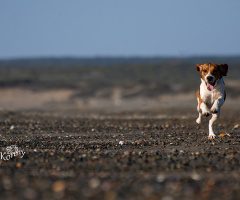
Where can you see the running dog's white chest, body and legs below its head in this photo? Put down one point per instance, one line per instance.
(212, 102)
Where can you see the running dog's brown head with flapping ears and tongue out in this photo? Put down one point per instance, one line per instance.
(211, 73)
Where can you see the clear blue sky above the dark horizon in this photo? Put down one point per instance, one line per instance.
(55, 28)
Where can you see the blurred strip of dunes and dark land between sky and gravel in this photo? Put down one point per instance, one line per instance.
(106, 83)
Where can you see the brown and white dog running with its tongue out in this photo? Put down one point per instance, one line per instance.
(211, 94)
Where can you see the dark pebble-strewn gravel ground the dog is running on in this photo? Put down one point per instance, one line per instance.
(118, 156)
